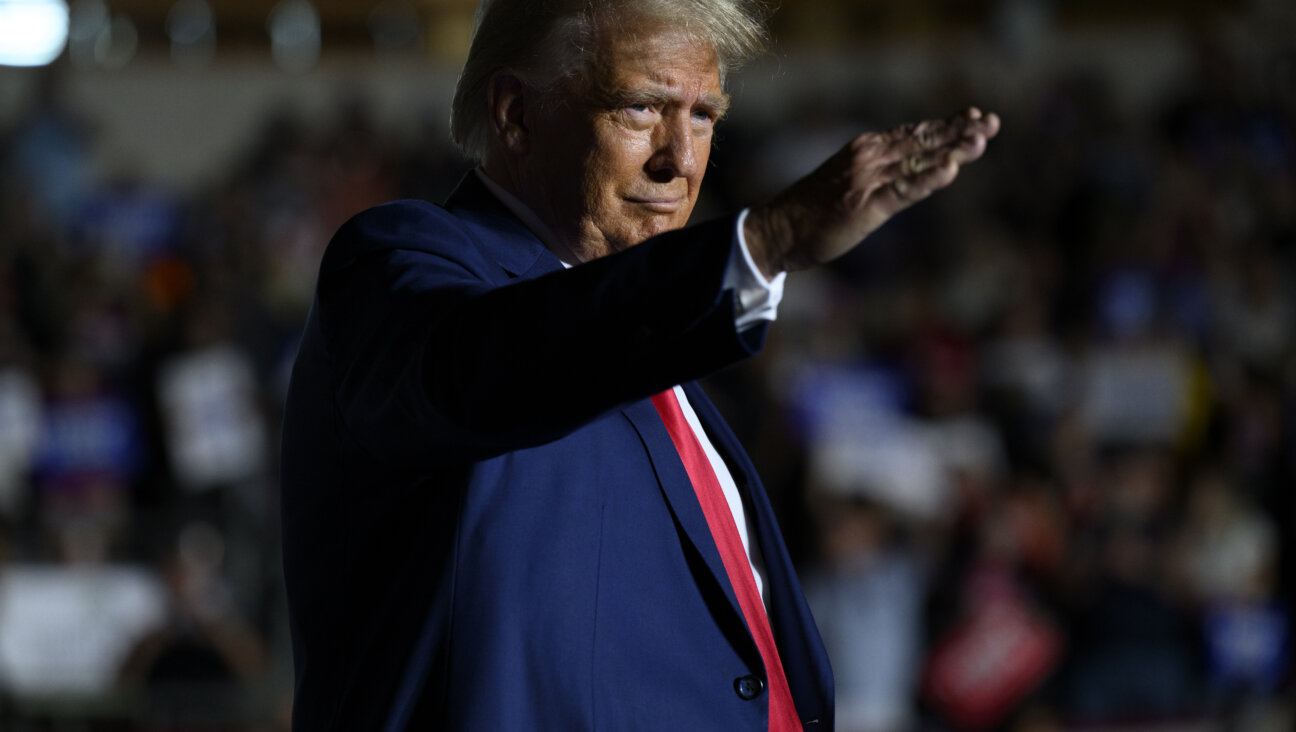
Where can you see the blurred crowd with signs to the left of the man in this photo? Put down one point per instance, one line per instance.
(147, 341)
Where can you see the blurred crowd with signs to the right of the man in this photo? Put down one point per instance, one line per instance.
(1040, 431)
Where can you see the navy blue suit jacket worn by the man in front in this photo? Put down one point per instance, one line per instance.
(487, 525)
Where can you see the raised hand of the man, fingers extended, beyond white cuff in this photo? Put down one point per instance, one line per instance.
(830, 212)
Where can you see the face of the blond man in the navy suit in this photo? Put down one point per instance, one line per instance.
(621, 156)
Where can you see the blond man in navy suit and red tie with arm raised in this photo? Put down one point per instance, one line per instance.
(501, 510)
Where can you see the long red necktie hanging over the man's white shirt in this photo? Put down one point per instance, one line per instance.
(720, 519)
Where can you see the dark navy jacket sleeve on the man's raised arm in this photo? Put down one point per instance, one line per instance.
(440, 356)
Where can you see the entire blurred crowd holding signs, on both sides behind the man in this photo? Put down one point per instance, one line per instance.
(1034, 446)
